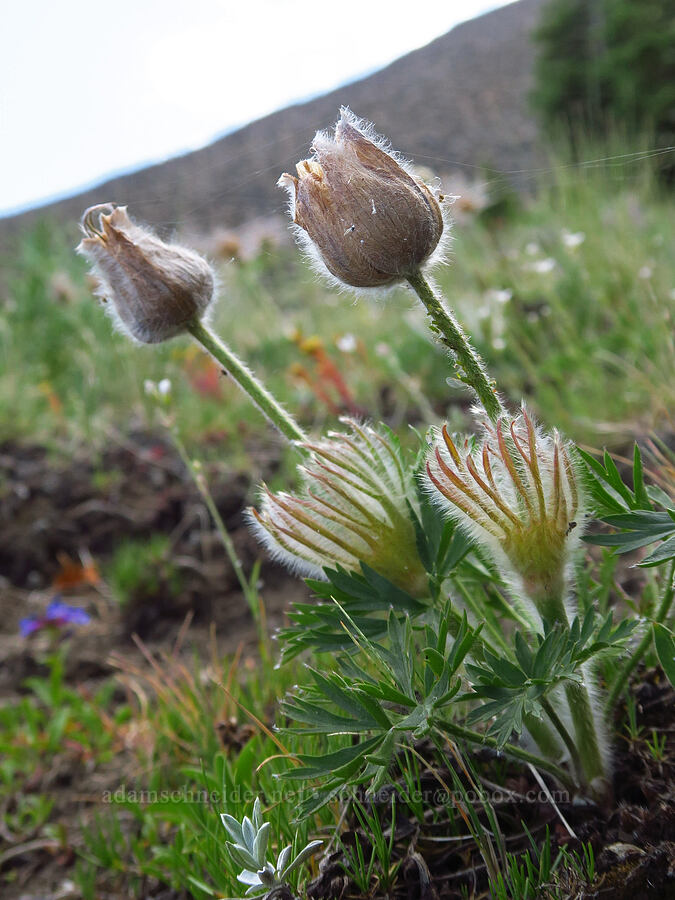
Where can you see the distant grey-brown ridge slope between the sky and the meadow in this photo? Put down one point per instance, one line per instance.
(461, 101)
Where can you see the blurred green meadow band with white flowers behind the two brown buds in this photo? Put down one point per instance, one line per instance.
(568, 293)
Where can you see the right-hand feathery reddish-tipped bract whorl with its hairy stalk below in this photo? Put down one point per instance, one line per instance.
(518, 496)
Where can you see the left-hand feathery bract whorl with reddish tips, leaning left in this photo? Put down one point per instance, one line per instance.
(353, 507)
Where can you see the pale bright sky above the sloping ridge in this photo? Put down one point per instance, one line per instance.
(89, 88)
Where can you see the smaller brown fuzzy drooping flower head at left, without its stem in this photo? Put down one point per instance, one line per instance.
(153, 290)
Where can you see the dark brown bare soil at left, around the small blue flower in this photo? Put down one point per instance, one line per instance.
(60, 523)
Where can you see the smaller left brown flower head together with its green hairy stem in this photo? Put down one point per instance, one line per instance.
(155, 291)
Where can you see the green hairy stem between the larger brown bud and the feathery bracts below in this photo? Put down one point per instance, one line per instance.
(448, 328)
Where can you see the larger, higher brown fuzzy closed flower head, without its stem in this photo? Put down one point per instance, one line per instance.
(359, 209)
